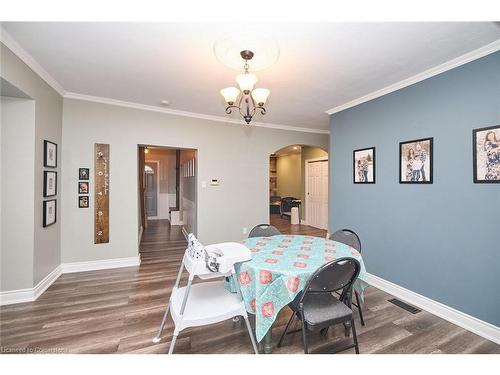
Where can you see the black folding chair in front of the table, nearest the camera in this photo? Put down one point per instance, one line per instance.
(318, 308)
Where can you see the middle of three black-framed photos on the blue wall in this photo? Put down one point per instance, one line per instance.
(415, 161)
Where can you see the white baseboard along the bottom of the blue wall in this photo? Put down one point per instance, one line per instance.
(468, 322)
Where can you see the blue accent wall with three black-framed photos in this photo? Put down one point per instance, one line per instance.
(441, 240)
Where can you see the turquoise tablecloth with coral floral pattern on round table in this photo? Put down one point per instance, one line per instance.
(279, 269)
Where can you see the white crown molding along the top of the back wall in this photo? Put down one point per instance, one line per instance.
(176, 112)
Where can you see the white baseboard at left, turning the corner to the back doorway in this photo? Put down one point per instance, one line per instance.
(31, 294)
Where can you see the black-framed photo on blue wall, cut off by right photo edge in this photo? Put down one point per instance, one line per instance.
(486, 154)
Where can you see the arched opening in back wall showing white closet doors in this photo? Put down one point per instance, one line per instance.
(298, 177)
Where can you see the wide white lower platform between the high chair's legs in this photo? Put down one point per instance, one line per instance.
(208, 302)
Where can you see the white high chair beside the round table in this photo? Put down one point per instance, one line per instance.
(208, 302)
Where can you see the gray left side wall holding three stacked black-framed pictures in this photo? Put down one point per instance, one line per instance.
(48, 125)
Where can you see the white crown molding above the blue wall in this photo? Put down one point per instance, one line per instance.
(451, 64)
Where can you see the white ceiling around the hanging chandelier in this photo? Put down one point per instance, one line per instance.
(321, 65)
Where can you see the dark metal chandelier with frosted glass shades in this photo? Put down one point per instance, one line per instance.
(249, 100)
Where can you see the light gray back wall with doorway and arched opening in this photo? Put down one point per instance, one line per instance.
(237, 155)
